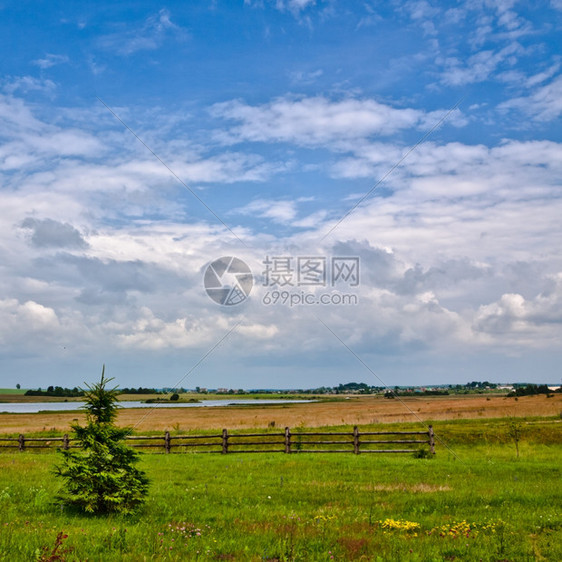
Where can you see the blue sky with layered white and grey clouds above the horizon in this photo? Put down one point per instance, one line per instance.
(388, 172)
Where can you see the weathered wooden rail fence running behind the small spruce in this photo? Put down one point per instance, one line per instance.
(272, 442)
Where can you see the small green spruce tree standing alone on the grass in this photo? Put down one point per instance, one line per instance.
(101, 478)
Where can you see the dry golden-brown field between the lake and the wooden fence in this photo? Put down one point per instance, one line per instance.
(355, 410)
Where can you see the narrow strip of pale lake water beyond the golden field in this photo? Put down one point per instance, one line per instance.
(35, 407)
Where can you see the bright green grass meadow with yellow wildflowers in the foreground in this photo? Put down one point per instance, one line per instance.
(311, 507)
